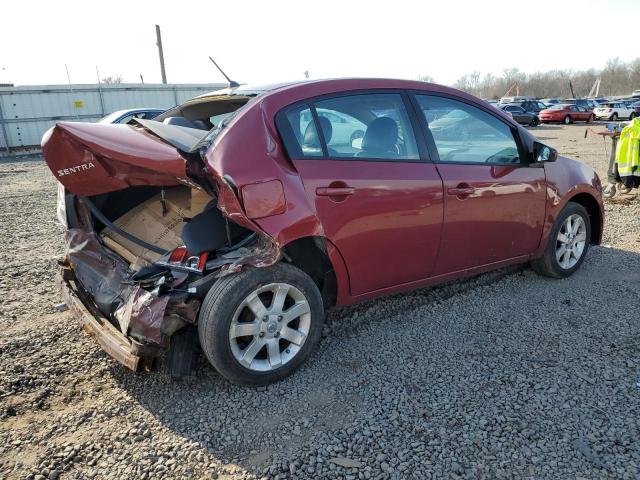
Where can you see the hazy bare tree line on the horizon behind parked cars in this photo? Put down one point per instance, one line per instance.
(616, 78)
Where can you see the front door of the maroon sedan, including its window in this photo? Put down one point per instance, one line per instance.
(494, 201)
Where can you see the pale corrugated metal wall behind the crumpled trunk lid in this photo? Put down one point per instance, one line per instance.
(27, 112)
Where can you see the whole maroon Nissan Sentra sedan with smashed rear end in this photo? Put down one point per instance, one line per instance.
(316, 194)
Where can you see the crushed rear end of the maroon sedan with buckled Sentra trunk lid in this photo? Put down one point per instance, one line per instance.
(150, 227)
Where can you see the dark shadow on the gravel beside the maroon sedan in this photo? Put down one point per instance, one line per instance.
(507, 368)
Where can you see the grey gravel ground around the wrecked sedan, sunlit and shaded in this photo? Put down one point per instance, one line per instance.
(505, 375)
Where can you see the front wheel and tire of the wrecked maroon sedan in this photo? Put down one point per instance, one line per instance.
(551, 263)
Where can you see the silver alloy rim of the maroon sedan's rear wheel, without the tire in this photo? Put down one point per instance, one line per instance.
(270, 327)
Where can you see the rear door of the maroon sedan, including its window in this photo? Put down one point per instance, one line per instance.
(380, 203)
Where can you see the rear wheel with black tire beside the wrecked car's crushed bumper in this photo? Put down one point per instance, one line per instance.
(226, 307)
